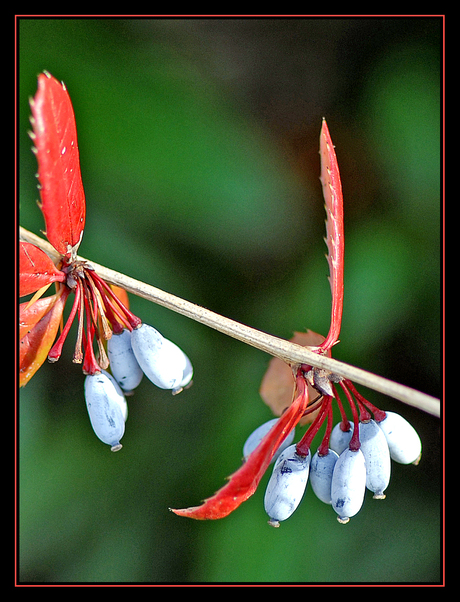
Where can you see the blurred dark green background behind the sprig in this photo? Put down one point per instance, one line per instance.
(199, 151)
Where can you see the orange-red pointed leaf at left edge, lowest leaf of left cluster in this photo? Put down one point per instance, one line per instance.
(38, 326)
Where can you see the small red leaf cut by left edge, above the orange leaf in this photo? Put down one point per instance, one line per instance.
(36, 269)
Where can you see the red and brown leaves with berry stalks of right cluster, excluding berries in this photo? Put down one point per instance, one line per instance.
(276, 390)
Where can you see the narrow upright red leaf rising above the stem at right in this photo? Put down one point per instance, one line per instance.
(332, 191)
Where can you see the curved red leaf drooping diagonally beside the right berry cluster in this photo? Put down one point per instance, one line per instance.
(244, 481)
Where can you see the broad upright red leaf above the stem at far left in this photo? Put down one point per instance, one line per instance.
(61, 188)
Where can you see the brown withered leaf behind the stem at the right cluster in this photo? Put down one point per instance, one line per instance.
(277, 387)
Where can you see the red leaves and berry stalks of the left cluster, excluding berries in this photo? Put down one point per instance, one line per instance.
(98, 308)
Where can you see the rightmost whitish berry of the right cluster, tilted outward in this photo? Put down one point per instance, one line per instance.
(403, 441)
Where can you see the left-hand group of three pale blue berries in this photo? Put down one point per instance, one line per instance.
(132, 354)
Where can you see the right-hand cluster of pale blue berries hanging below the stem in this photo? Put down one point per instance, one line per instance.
(343, 466)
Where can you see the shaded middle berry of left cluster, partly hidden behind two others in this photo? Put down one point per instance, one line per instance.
(123, 363)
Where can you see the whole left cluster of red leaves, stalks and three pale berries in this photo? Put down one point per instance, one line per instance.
(130, 347)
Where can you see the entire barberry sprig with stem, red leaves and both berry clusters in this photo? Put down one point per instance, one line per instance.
(302, 381)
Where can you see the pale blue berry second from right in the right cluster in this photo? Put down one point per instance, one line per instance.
(377, 457)
